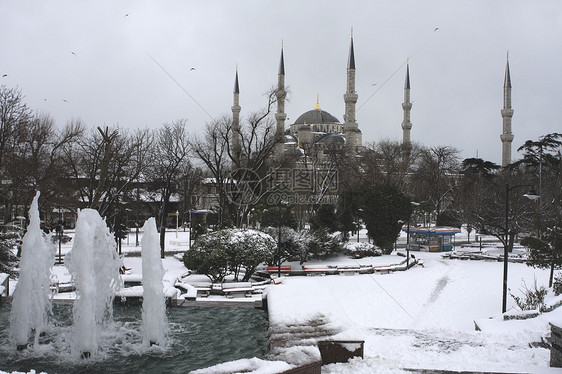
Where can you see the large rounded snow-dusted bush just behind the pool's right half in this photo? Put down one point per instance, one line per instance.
(230, 251)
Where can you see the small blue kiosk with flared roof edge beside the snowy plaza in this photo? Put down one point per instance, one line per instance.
(432, 239)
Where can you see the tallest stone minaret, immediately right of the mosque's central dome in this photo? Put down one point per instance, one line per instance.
(350, 127)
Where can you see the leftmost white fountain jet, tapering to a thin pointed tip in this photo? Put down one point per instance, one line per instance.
(31, 301)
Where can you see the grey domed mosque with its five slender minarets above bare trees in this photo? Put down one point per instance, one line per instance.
(319, 133)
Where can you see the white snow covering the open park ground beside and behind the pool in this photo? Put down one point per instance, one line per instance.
(422, 318)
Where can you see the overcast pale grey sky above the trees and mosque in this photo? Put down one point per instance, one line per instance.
(104, 58)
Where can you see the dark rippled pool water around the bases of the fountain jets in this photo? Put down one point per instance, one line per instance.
(199, 337)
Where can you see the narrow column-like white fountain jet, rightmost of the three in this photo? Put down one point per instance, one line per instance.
(154, 320)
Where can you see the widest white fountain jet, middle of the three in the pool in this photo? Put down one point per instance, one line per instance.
(94, 265)
